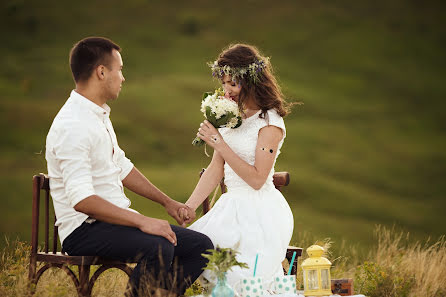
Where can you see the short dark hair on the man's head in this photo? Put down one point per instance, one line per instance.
(89, 53)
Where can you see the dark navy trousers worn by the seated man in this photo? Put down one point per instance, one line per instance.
(160, 264)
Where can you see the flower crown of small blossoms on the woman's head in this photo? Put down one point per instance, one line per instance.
(253, 70)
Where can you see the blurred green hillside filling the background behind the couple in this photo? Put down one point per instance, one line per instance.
(367, 147)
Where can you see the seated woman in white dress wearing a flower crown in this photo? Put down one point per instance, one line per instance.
(252, 217)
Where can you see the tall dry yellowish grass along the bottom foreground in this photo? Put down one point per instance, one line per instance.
(394, 267)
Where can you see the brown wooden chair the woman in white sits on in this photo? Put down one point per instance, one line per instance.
(280, 179)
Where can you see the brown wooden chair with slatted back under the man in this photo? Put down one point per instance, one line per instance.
(55, 258)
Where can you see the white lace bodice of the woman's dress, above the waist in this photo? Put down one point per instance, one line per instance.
(243, 141)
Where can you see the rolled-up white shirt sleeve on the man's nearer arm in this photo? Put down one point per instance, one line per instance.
(72, 153)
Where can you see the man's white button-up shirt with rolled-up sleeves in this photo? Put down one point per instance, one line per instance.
(83, 159)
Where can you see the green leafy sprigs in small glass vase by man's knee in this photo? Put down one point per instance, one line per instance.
(222, 260)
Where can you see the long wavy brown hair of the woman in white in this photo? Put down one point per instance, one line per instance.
(265, 92)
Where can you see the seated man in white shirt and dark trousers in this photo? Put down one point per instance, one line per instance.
(88, 171)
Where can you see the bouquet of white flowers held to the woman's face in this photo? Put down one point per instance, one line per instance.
(219, 111)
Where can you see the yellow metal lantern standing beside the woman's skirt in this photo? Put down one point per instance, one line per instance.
(316, 271)
